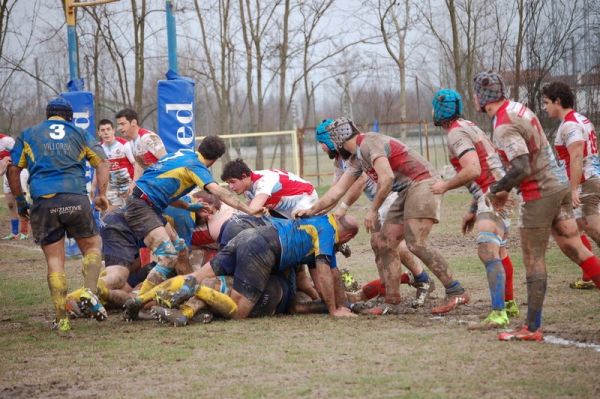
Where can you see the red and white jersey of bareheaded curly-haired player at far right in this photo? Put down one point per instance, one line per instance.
(576, 127)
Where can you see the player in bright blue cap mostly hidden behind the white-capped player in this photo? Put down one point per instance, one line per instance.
(421, 281)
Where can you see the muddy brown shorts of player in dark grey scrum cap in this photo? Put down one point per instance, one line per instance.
(547, 210)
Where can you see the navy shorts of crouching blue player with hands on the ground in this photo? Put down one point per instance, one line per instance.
(250, 257)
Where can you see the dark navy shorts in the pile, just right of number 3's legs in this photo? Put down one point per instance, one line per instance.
(119, 244)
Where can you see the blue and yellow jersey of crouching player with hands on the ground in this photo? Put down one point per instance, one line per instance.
(300, 238)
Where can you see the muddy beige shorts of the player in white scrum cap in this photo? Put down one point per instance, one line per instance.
(415, 202)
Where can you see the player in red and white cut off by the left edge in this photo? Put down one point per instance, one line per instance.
(16, 233)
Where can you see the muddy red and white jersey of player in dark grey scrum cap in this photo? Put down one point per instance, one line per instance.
(517, 132)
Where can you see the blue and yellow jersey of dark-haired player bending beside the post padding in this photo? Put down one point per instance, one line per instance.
(173, 176)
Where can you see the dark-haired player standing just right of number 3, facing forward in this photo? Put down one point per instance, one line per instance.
(119, 155)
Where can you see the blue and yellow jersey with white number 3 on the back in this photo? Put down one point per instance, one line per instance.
(55, 152)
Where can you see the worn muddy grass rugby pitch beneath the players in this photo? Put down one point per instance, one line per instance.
(407, 355)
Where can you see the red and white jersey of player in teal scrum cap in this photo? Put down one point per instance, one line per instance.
(465, 136)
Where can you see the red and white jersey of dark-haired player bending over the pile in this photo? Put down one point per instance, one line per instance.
(284, 189)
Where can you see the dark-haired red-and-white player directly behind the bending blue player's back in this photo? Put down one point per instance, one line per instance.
(146, 146)
